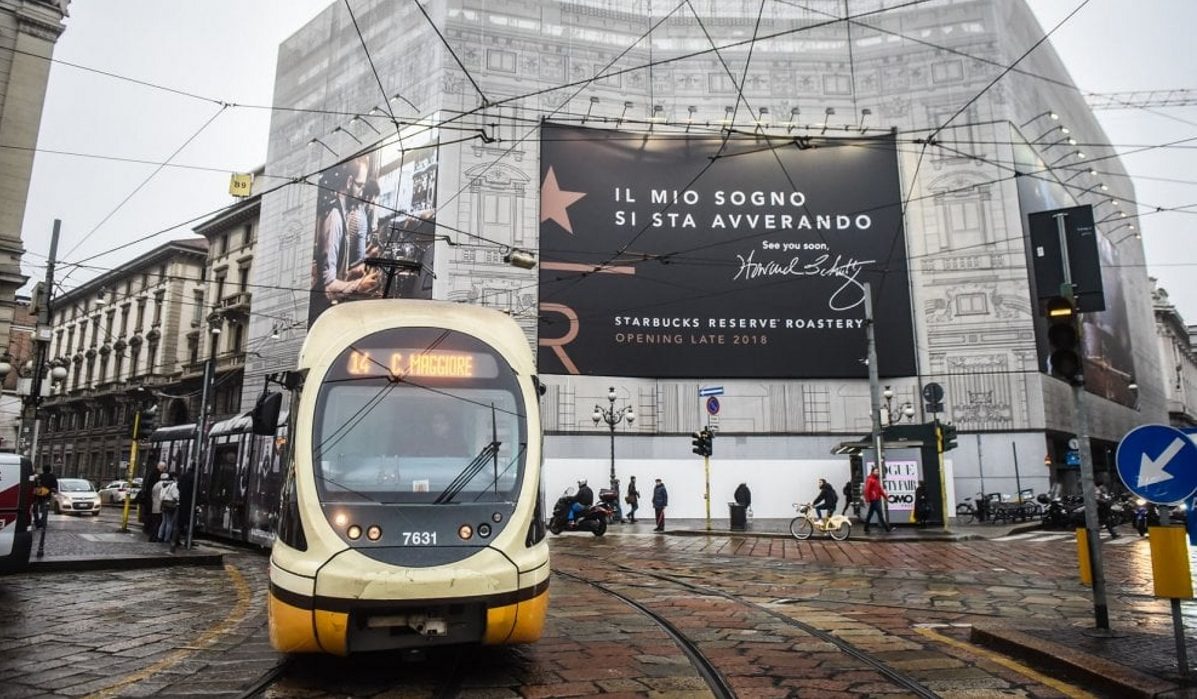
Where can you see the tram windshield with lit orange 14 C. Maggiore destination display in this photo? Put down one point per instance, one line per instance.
(420, 416)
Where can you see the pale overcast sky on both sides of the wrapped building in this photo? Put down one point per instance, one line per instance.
(227, 51)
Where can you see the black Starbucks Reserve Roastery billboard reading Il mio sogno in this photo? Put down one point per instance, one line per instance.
(685, 256)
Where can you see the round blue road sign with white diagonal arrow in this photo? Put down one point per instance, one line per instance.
(1158, 464)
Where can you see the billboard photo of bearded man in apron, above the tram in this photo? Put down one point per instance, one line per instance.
(375, 226)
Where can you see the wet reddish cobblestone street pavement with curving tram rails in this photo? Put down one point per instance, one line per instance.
(200, 630)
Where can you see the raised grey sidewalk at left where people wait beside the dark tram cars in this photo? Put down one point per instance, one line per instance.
(83, 543)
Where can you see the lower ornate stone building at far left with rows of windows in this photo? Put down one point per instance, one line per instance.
(124, 337)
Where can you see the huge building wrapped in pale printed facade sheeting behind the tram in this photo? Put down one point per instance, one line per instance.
(975, 161)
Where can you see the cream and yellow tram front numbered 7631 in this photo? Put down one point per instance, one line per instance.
(410, 518)
